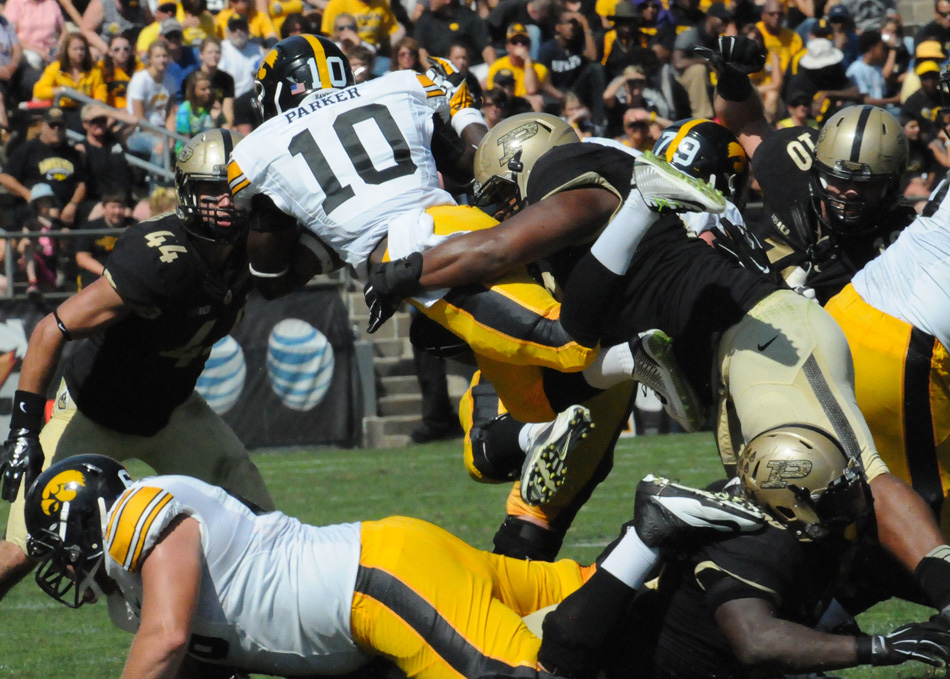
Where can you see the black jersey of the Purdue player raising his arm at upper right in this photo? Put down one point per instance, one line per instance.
(790, 227)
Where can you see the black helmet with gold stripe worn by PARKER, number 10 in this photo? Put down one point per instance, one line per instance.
(295, 68)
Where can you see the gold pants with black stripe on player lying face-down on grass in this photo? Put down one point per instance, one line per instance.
(441, 609)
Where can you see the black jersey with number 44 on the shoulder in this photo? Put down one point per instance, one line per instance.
(131, 376)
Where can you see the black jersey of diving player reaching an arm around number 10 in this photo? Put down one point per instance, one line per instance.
(675, 282)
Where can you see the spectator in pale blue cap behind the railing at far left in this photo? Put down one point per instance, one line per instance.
(38, 256)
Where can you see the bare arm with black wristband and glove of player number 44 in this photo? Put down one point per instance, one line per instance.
(91, 310)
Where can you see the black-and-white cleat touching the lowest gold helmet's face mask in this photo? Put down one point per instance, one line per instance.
(668, 515)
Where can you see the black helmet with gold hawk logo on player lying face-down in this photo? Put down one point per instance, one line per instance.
(64, 511)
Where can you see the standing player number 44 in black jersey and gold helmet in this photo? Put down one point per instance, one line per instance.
(173, 286)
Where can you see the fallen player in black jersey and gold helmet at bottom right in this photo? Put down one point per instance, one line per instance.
(746, 605)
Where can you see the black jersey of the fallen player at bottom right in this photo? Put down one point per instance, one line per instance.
(797, 579)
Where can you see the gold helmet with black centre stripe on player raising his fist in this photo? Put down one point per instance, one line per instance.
(862, 150)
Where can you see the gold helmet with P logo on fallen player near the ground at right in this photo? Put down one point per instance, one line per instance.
(806, 481)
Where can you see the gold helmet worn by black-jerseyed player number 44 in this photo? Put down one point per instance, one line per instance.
(201, 171)
